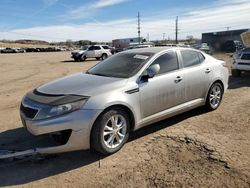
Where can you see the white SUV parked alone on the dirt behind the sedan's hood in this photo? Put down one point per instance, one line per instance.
(93, 51)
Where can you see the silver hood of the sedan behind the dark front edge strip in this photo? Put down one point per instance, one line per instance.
(81, 84)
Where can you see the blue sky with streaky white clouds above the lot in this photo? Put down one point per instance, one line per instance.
(104, 20)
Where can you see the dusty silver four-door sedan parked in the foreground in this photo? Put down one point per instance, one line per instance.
(98, 109)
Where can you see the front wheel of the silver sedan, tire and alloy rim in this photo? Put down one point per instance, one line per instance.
(110, 131)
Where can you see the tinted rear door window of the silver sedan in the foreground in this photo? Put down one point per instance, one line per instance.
(190, 58)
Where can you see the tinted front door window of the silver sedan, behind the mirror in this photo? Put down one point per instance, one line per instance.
(168, 62)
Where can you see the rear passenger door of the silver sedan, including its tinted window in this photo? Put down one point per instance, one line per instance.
(197, 74)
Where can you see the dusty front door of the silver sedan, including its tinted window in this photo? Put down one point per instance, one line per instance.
(165, 89)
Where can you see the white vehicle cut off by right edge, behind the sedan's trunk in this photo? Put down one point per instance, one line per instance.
(241, 63)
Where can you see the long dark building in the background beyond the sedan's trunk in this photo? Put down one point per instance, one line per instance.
(217, 39)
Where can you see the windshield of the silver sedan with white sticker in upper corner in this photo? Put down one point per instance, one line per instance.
(121, 65)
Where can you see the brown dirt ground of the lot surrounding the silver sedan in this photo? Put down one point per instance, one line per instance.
(194, 149)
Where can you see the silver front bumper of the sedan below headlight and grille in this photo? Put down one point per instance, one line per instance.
(80, 122)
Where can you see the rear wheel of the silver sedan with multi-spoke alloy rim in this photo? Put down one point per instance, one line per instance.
(214, 96)
